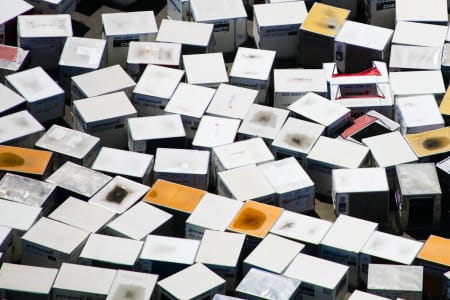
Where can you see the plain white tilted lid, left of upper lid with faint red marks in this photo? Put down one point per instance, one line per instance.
(190, 100)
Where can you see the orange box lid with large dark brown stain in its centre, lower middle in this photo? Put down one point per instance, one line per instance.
(255, 219)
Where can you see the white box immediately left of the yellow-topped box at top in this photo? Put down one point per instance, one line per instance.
(276, 27)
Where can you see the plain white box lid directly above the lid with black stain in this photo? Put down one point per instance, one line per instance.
(122, 162)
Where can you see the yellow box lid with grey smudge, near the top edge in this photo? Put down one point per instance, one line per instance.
(325, 19)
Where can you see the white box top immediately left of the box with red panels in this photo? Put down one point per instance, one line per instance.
(300, 80)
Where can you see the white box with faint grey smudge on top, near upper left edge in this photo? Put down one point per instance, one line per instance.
(44, 96)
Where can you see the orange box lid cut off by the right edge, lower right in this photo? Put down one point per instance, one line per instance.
(436, 249)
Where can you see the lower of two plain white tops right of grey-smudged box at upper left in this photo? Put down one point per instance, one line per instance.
(104, 107)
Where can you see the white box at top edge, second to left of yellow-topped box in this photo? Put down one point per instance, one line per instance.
(229, 19)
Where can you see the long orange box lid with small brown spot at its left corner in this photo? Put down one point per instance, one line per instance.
(173, 195)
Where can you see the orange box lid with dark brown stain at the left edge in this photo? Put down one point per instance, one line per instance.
(24, 160)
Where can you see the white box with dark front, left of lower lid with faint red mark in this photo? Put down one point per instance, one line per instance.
(167, 131)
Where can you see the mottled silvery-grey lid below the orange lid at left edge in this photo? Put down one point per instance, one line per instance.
(25, 190)
